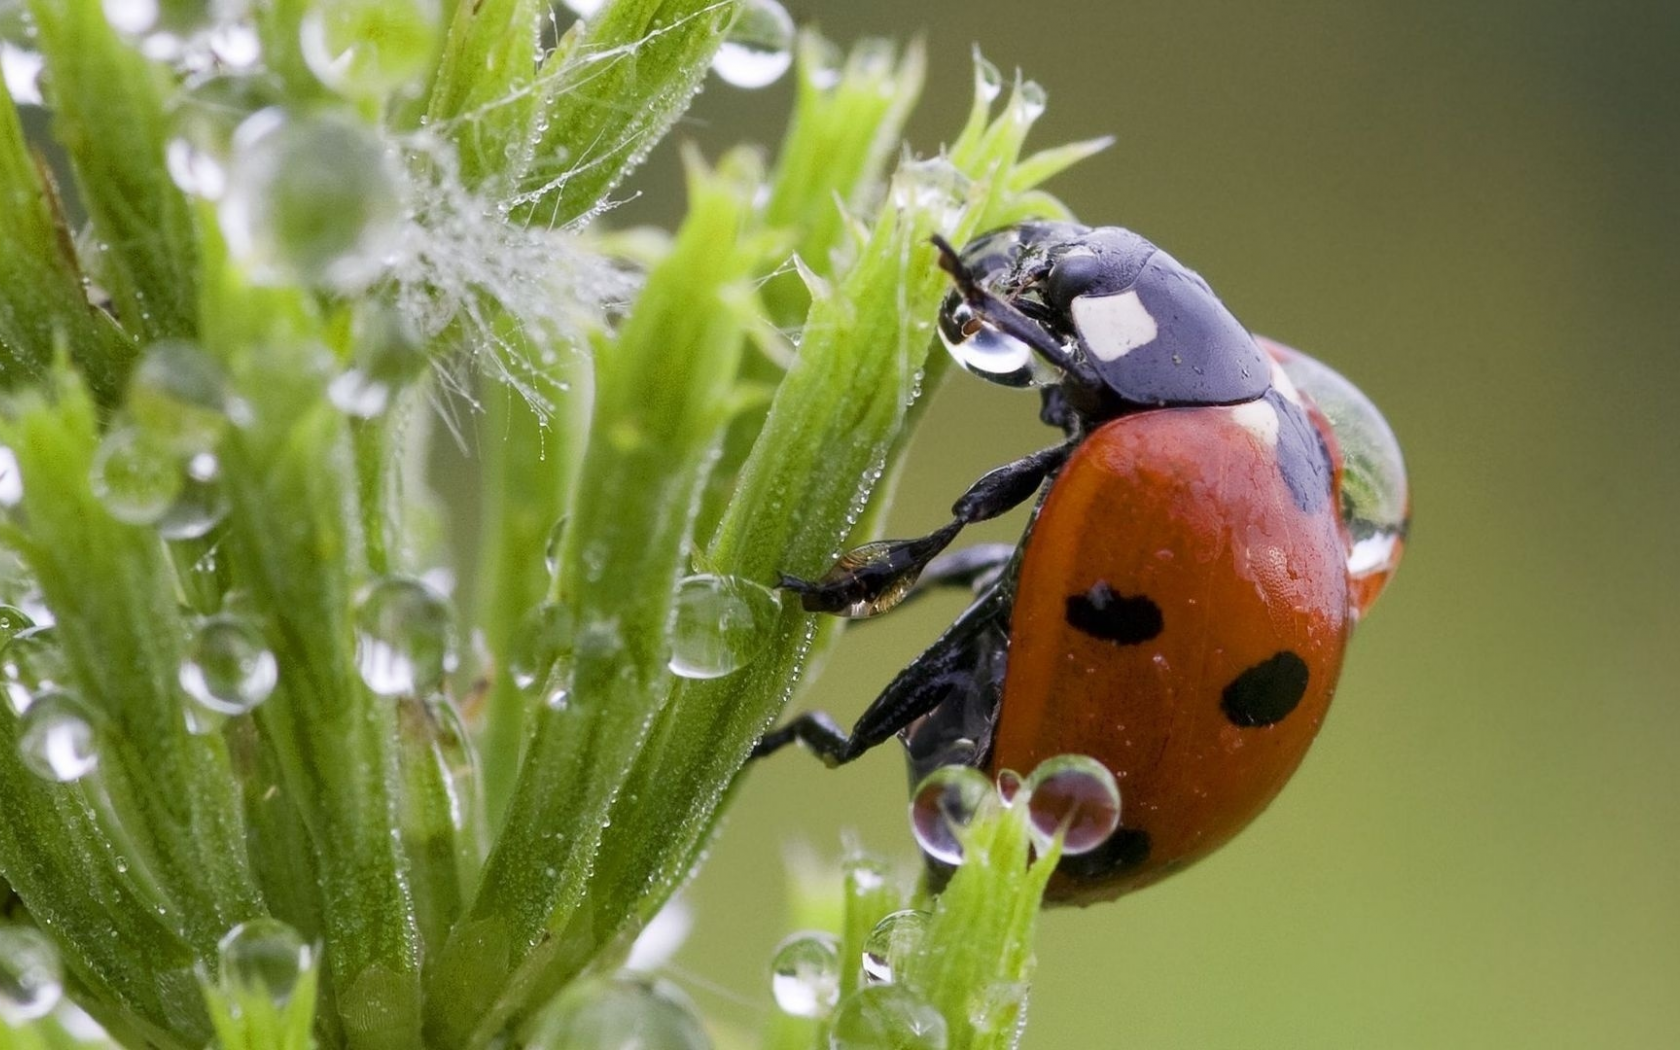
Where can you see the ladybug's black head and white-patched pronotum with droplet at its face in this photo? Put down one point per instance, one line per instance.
(1103, 313)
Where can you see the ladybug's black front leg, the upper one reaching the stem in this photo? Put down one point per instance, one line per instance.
(876, 577)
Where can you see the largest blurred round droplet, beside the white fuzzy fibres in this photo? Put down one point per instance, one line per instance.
(313, 199)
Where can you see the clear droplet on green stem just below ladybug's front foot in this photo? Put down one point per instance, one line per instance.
(722, 624)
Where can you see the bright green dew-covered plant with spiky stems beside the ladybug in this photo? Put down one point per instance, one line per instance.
(248, 792)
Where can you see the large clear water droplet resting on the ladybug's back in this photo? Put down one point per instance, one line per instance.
(1377, 505)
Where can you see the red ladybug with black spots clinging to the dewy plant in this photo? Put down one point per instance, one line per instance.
(1221, 515)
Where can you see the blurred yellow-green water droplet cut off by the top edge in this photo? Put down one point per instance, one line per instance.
(367, 50)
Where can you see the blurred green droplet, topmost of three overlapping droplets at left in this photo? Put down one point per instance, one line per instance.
(179, 397)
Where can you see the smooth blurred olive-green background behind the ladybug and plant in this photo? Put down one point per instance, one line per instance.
(1473, 211)
